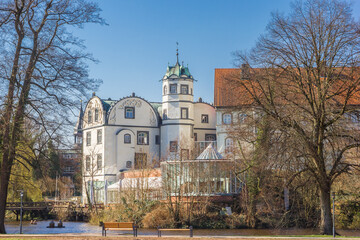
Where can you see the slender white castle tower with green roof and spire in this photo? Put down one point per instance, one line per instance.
(177, 112)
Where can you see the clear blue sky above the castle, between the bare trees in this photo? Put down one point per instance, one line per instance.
(140, 40)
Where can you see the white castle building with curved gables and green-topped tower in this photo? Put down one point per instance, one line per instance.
(130, 133)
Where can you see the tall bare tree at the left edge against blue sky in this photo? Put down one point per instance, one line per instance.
(41, 64)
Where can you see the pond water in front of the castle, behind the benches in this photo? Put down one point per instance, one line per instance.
(82, 228)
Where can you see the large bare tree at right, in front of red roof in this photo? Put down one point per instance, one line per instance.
(304, 74)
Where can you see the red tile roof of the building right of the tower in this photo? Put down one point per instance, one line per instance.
(229, 93)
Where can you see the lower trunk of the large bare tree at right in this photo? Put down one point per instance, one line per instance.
(325, 206)
